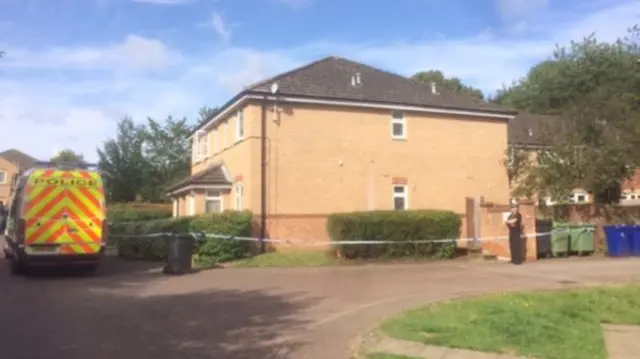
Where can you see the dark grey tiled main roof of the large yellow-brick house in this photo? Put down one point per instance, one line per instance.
(330, 79)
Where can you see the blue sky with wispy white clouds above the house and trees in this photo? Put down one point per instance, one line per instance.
(73, 68)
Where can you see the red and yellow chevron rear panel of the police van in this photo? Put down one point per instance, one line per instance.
(48, 201)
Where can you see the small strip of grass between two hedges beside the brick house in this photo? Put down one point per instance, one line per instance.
(288, 259)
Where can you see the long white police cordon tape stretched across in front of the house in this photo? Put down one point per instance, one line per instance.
(205, 235)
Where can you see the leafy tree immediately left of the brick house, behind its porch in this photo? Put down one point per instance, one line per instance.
(167, 152)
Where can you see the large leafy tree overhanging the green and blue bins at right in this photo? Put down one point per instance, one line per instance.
(594, 89)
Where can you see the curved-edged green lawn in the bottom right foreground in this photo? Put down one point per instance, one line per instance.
(547, 325)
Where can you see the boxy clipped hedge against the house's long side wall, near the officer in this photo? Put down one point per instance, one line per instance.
(395, 226)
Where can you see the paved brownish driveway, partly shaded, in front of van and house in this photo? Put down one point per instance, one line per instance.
(132, 311)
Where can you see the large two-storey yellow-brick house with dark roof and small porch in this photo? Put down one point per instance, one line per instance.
(338, 136)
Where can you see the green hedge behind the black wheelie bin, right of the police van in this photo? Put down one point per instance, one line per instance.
(208, 252)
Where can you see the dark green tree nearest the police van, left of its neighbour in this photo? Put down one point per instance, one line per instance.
(122, 162)
